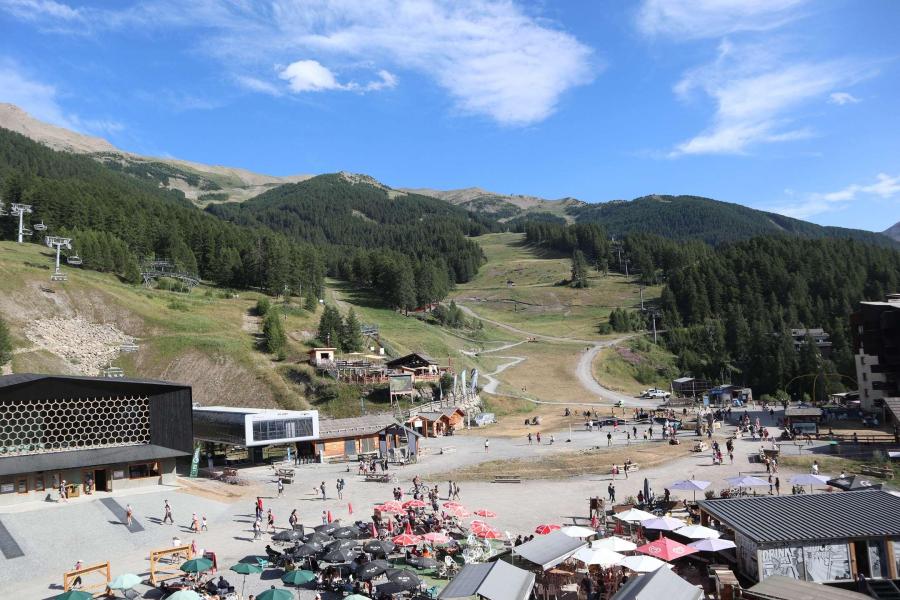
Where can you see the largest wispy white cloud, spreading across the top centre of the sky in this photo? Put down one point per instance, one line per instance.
(493, 58)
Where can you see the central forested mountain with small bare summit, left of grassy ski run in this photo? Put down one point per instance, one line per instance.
(410, 248)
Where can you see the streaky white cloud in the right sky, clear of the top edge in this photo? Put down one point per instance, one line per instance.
(755, 89)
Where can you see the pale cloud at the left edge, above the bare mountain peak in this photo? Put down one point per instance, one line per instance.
(40, 101)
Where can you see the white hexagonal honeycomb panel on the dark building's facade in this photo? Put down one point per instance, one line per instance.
(40, 426)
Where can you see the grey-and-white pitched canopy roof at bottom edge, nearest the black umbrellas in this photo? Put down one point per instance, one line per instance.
(497, 581)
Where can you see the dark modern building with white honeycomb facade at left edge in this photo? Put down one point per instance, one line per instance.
(96, 434)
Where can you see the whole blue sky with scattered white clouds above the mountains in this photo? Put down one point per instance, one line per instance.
(784, 105)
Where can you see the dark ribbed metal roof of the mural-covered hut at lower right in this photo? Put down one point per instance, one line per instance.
(809, 517)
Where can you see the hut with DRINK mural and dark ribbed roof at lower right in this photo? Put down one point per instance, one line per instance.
(823, 538)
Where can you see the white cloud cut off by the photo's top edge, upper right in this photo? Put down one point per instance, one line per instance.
(714, 18)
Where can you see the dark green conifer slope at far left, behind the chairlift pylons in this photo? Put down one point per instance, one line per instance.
(116, 220)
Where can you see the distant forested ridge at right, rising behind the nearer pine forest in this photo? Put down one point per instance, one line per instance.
(712, 221)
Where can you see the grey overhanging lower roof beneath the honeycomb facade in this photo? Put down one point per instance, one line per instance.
(76, 459)
